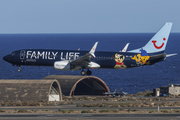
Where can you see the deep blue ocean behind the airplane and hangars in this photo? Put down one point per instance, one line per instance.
(129, 80)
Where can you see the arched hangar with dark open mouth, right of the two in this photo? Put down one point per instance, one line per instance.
(80, 85)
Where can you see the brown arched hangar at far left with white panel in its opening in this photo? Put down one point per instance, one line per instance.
(27, 90)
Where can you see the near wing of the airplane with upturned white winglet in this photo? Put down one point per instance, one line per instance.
(85, 61)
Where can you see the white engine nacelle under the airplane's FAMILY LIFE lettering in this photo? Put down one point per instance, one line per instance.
(62, 65)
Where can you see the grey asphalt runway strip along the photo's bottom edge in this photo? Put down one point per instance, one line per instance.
(90, 116)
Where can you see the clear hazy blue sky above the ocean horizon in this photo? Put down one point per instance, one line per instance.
(87, 16)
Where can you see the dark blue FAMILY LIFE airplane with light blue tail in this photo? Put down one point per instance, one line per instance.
(150, 54)
